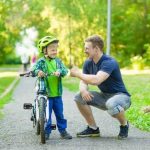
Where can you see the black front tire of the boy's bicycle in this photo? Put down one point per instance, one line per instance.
(42, 118)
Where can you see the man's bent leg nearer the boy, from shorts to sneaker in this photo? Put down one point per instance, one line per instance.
(84, 107)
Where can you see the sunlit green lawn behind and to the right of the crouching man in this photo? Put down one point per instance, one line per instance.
(138, 86)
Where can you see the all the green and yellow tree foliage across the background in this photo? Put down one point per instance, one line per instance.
(72, 21)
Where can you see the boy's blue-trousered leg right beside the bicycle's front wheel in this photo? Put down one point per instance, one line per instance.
(49, 122)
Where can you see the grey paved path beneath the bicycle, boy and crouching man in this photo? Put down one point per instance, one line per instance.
(16, 132)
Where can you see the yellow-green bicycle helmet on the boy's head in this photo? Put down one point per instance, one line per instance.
(45, 41)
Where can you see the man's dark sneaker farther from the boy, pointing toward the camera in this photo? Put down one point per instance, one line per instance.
(123, 131)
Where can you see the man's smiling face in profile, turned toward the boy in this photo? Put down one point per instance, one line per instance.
(89, 50)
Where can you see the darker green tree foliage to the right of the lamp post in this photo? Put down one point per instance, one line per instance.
(130, 29)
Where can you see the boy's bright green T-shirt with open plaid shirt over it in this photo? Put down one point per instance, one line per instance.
(53, 83)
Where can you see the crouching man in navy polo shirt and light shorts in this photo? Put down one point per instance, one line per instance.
(103, 71)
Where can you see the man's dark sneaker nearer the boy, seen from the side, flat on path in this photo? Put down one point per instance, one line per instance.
(89, 132)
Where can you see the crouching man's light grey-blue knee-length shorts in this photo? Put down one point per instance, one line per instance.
(113, 103)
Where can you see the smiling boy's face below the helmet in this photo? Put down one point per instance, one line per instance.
(52, 50)
